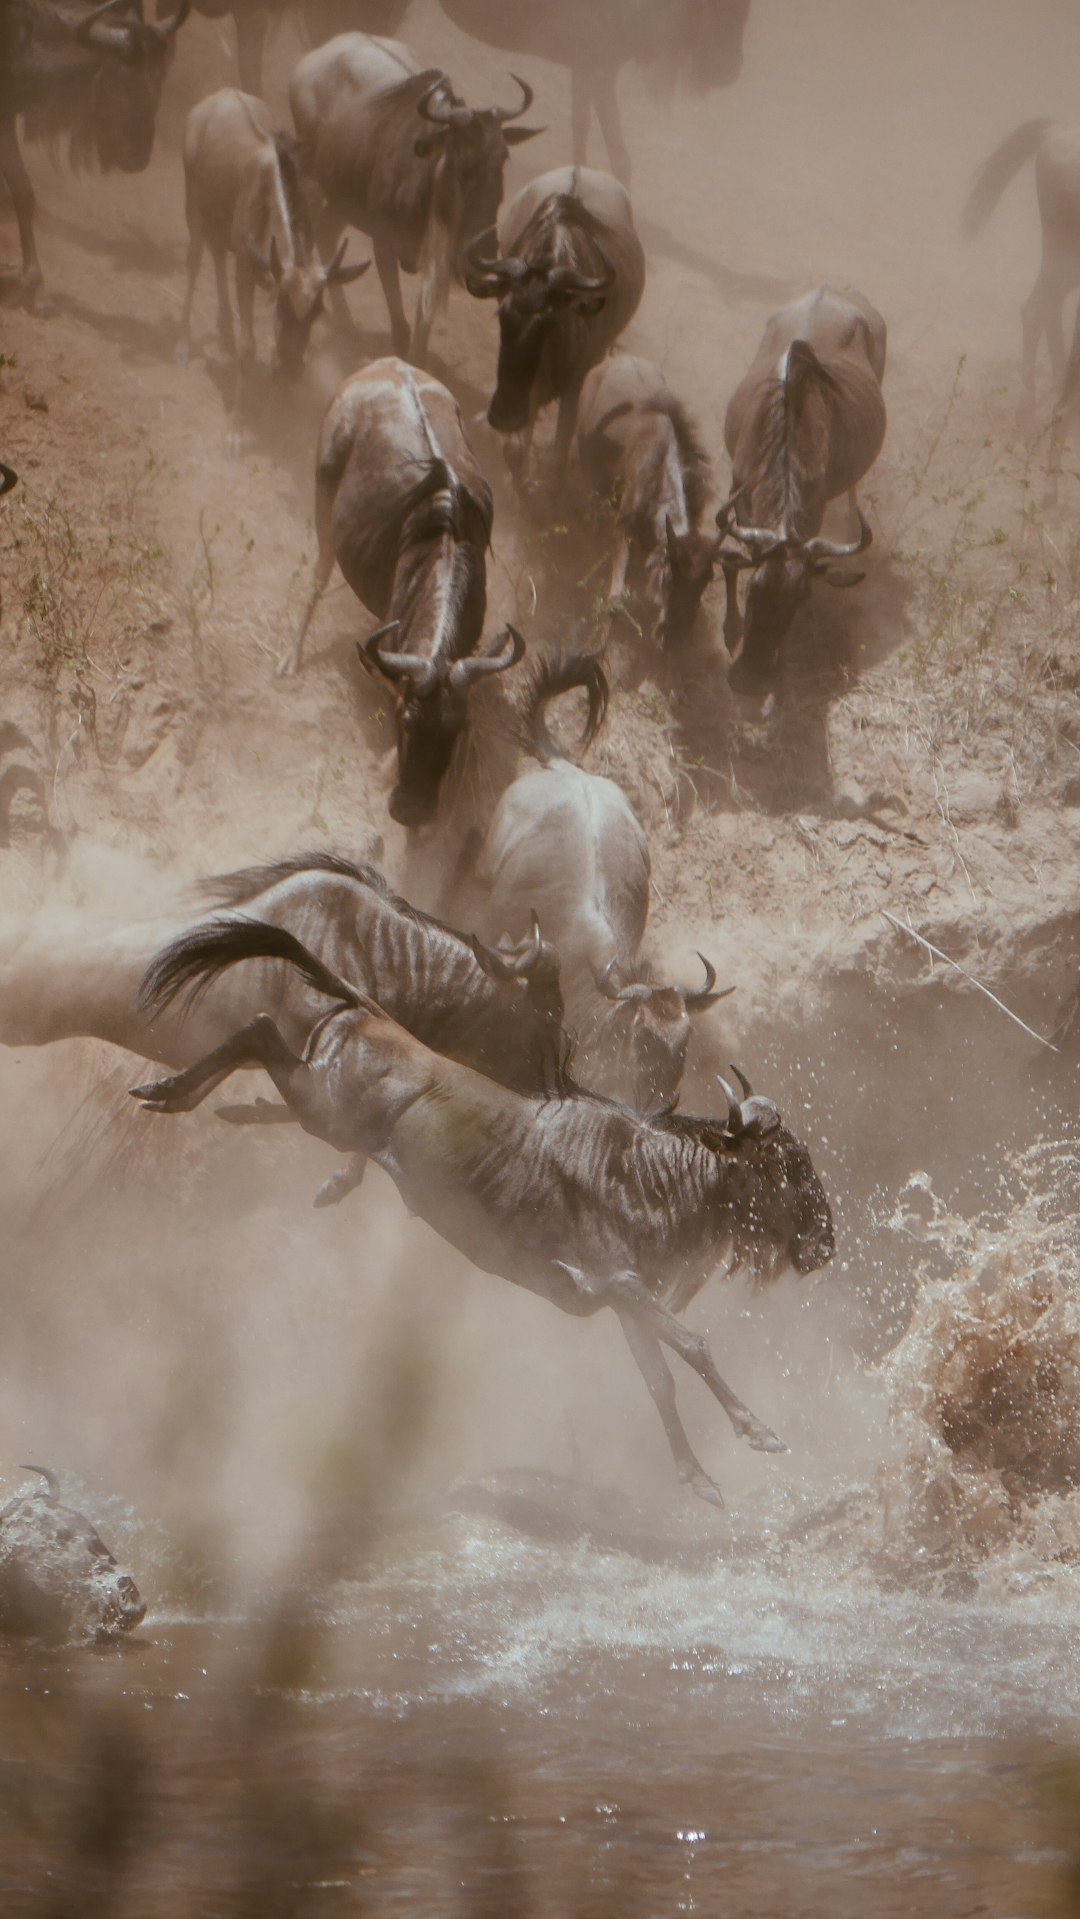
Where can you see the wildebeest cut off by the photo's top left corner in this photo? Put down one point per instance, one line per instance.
(95, 78)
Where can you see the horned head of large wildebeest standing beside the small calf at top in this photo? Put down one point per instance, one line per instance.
(471, 149)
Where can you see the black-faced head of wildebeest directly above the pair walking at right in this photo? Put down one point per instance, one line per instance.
(534, 300)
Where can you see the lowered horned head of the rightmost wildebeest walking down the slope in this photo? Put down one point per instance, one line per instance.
(782, 573)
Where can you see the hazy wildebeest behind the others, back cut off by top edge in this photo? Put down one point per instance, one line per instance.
(697, 43)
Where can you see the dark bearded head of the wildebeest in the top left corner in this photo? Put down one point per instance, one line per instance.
(118, 114)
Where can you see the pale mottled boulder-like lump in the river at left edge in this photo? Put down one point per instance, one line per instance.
(59, 1580)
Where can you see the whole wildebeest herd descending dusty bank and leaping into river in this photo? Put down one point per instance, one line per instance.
(519, 1078)
